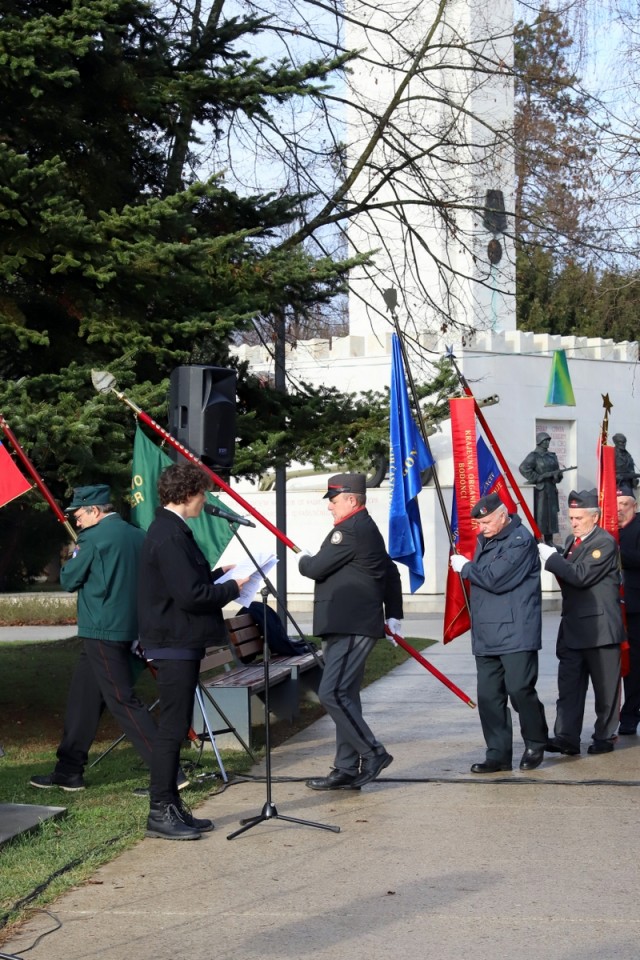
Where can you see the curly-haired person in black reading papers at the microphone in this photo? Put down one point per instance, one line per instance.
(180, 614)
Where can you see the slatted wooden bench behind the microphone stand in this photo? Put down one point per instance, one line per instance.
(239, 688)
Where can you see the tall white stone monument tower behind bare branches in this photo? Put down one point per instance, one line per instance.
(432, 141)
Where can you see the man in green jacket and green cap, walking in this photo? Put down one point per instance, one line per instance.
(103, 570)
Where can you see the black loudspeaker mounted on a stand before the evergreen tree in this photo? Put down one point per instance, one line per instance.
(202, 412)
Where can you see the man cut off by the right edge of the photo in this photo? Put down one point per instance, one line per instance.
(629, 537)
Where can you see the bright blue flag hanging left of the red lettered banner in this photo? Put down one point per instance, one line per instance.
(408, 458)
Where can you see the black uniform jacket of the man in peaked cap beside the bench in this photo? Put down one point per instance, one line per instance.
(357, 583)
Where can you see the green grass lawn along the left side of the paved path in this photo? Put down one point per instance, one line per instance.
(107, 818)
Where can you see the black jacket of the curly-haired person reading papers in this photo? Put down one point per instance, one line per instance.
(178, 603)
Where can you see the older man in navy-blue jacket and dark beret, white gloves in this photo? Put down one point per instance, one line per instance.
(506, 631)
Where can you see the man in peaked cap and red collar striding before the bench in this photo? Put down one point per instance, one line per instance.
(357, 586)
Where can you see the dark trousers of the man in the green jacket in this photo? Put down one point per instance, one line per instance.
(102, 678)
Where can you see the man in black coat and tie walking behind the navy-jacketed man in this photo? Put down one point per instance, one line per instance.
(591, 629)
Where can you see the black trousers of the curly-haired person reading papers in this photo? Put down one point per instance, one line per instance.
(177, 681)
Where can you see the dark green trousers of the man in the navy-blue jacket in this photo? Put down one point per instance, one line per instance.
(510, 676)
